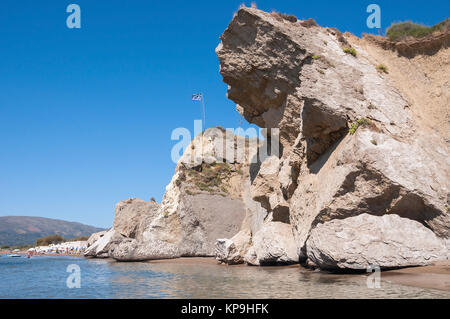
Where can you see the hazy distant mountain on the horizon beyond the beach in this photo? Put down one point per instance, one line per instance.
(22, 230)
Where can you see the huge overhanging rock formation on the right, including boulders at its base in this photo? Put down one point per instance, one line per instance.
(350, 146)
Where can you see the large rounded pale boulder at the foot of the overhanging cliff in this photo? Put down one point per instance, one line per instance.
(358, 242)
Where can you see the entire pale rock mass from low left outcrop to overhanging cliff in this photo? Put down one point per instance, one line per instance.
(350, 180)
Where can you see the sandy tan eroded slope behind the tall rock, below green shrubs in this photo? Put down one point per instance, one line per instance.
(421, 78)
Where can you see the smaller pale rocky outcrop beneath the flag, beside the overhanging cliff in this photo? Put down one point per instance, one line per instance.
(207, 199)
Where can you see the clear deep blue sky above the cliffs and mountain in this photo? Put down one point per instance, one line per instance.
(86, 115)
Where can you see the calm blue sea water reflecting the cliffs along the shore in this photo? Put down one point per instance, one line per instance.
(45, 277)
